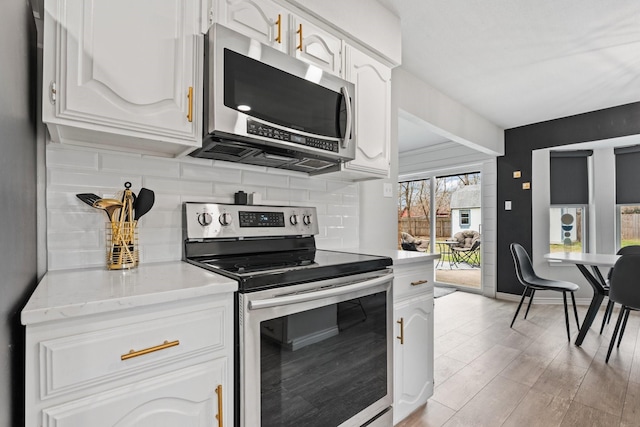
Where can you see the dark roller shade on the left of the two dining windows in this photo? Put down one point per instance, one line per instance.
(569, 180)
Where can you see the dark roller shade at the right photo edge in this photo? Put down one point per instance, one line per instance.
(627, 175)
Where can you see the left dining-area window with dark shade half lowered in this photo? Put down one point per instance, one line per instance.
(569, 196)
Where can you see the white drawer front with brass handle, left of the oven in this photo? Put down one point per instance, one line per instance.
(88, 359)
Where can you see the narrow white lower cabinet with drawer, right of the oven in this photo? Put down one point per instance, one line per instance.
(413, 348)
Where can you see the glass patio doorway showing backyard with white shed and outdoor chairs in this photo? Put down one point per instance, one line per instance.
(443, 214)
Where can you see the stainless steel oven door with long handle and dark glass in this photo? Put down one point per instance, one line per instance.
(317, 354)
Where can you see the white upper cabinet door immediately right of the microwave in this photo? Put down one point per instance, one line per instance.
(373, 112)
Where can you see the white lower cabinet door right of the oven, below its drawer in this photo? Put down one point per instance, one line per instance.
(413, 358)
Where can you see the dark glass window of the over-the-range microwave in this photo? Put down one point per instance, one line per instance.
(267, 93)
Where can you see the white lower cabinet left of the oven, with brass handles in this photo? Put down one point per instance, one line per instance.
(167, 364)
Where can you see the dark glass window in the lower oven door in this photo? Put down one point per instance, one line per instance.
(323, 366)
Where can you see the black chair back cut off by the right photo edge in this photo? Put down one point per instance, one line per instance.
(625, 281)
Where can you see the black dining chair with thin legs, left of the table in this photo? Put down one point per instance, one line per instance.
(532, 283)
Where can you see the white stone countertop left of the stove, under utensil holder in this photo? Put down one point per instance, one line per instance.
(70, 293)
